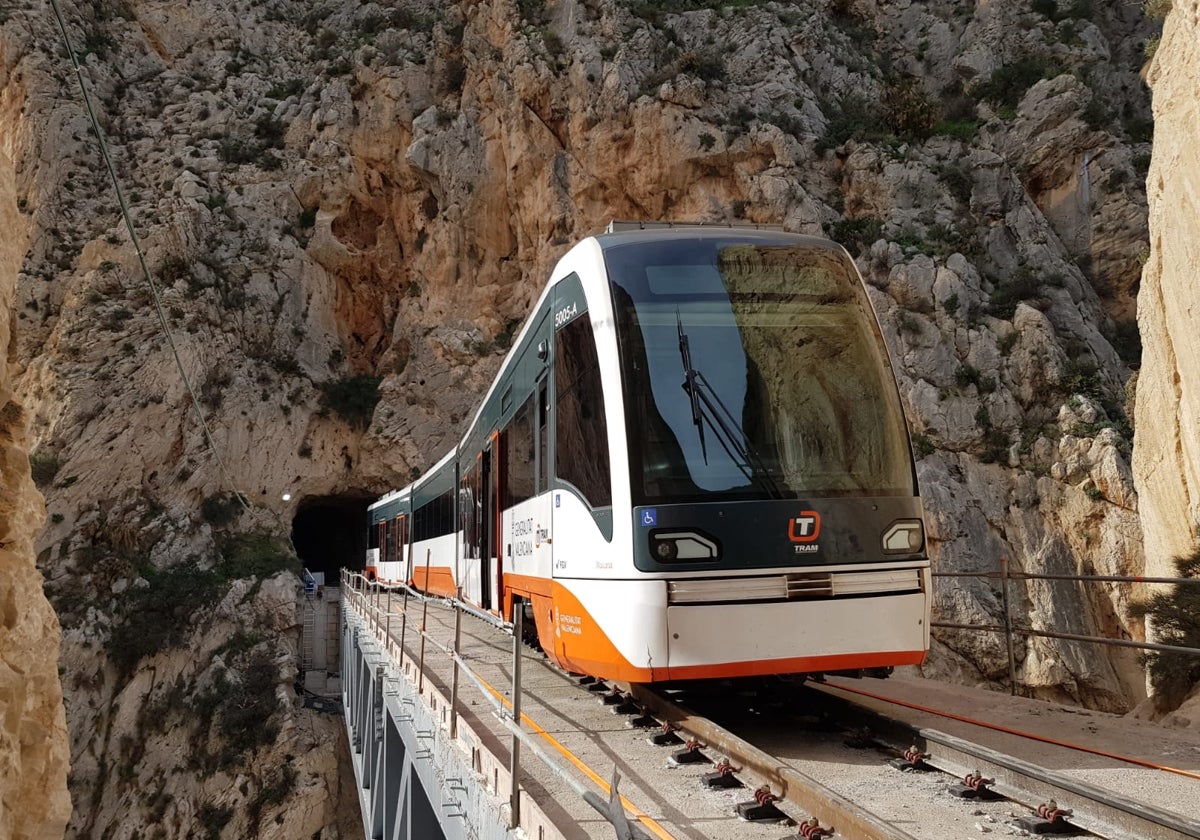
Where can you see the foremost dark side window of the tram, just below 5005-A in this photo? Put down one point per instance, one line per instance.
(581, 431)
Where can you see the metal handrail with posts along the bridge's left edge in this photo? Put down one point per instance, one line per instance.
(610, 811)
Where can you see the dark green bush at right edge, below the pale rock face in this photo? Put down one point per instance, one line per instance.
(1177, 619)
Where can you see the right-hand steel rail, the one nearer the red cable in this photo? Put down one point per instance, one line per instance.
(1099, 811)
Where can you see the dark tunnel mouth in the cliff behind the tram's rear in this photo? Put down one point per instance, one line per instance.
(331, 533)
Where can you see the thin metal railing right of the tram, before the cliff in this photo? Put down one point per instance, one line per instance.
(1013, 629)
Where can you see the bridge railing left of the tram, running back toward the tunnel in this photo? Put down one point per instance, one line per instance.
(377, 604)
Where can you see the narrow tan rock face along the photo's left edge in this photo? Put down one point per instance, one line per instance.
(34, 758)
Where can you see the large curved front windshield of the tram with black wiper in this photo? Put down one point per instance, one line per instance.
(753, 370)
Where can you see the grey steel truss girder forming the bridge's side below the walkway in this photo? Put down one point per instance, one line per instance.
(413, 783)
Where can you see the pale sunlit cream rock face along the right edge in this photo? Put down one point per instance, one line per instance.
(1167, 457)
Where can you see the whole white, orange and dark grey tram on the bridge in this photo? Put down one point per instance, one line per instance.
(693, 465)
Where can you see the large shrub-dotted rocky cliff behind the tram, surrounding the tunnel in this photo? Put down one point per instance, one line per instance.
(338, 199)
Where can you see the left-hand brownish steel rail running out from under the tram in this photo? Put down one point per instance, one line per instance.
(797, 788)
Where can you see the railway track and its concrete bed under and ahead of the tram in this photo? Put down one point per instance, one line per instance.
(791, 739)
